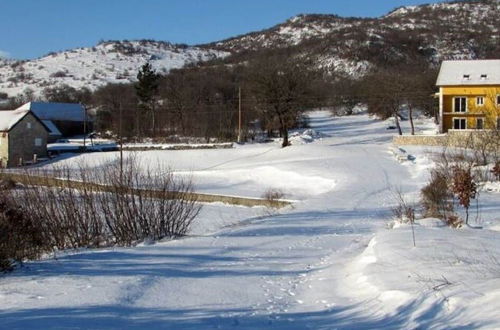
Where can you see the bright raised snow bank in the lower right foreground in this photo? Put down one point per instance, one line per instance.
(450, 279)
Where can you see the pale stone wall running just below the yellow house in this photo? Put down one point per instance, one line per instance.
(455, 138)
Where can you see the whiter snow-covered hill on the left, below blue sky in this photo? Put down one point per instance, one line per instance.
(108, 62)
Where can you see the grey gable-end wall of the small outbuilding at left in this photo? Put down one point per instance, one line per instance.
(22, 141)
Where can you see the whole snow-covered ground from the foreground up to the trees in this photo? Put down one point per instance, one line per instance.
(329, 261)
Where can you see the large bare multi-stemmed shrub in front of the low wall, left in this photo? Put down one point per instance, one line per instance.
(117, 203)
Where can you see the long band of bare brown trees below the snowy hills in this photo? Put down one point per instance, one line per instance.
(272, 91)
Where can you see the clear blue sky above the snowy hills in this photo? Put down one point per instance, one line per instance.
(32, 28)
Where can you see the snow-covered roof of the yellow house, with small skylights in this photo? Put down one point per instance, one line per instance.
(457, 73)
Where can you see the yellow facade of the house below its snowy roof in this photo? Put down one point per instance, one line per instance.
(489, 111)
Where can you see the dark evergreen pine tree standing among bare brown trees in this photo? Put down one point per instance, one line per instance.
(147, 91)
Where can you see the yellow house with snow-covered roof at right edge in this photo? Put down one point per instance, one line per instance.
(469, 95)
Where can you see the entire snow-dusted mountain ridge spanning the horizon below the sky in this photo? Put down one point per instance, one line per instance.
(346, 46)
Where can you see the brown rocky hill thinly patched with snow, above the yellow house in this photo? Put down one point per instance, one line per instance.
(448, 30)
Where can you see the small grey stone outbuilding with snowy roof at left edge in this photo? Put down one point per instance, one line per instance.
(23, 138)
